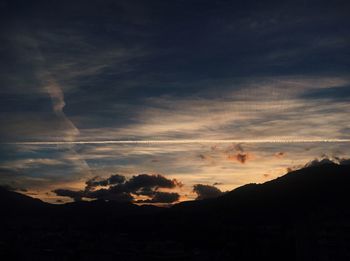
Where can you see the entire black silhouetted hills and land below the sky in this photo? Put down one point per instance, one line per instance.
(302, 215)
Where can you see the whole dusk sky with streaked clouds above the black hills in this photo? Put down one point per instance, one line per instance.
(165, 101)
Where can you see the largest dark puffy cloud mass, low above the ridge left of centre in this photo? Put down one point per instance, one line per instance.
(118, 188)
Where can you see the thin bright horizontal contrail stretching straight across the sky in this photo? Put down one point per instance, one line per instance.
(182, 141)
